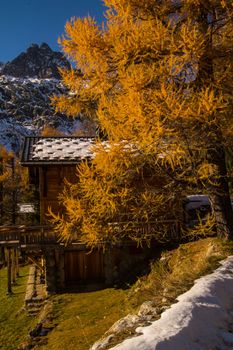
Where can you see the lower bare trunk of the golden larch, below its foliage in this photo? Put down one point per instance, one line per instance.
(219, 194)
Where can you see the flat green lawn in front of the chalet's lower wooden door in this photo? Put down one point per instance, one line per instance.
(83, 318)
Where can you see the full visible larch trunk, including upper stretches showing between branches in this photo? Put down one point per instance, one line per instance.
(218, 189)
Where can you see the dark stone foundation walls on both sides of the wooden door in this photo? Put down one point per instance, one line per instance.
(117, 263)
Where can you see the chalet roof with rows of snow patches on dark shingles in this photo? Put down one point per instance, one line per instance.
(56, 150)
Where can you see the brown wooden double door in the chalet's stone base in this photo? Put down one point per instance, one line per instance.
(84, 268)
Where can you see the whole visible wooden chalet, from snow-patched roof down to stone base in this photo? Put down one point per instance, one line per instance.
(51, 160)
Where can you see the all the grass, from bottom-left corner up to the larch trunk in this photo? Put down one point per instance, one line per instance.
(82, 318)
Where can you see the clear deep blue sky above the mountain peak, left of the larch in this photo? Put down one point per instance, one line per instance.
(23, 22)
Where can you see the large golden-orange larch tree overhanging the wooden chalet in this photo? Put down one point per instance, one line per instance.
(157, 79)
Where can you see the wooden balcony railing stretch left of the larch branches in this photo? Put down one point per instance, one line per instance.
(27, 235)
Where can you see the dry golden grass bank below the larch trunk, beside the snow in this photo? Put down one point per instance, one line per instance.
(176, 271)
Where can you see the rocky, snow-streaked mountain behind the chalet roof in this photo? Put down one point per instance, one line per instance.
(25, 92)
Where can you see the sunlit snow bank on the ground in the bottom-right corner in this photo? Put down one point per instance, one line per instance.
(200, 320)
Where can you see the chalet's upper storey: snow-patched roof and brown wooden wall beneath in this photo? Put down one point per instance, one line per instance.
(50, 160)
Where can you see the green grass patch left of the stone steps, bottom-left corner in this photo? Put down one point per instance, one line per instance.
(14, 323)
